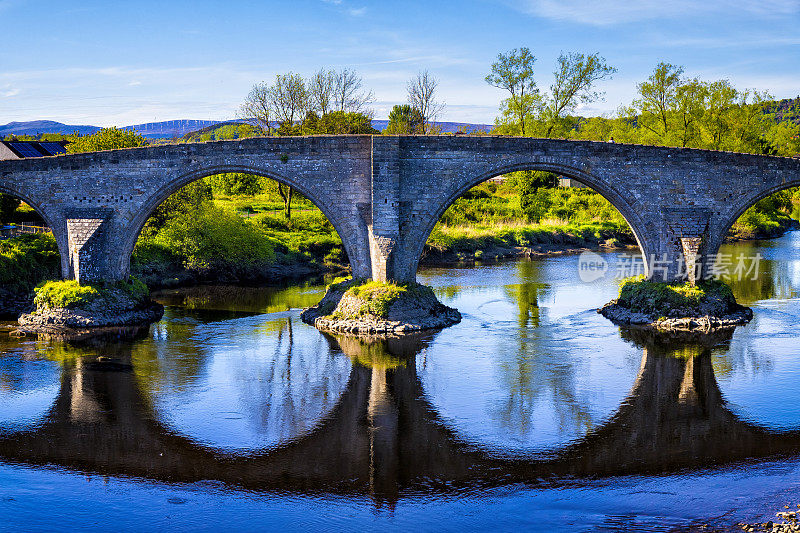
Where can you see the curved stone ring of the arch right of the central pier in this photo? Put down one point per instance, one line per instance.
(605, 189)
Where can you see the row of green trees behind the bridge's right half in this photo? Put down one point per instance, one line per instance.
(670, 109)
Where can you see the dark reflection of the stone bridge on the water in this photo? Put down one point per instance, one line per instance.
(383, 437)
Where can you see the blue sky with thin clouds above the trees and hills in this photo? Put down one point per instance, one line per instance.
(109, 63)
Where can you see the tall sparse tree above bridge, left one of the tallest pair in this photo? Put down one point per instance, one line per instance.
(513, 72)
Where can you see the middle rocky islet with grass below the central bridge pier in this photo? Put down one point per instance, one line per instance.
(360, 307)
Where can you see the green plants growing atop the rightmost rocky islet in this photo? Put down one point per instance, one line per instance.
(643, 296)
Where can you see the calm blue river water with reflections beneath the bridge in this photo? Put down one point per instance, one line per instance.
(534, 412)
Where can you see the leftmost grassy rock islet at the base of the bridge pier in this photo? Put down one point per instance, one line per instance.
(64, 306)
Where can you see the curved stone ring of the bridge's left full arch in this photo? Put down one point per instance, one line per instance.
(160, 196)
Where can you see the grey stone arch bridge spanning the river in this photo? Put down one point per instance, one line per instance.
(384, 194)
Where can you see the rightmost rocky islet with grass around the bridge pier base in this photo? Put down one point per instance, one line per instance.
(681, 306)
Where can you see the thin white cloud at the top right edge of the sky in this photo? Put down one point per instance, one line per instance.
(610, 12)
